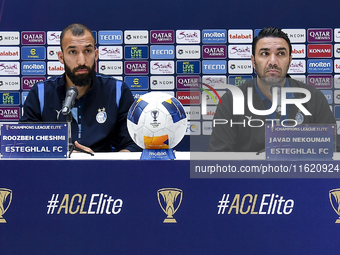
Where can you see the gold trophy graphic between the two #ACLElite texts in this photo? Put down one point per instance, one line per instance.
(169, 197)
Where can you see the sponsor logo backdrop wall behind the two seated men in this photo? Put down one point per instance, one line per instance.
(152, 51)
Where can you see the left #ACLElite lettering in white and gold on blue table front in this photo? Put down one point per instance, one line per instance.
(97, 204)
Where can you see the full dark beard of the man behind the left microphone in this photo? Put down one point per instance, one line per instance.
(80, 80)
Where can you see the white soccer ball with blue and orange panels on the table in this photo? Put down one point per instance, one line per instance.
(156, 120)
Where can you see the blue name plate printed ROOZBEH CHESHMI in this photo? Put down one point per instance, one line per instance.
(34, 140)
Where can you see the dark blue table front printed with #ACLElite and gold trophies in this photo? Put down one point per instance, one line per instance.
(114, 207)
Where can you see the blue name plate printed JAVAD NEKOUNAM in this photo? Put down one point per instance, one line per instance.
(315, 142)
